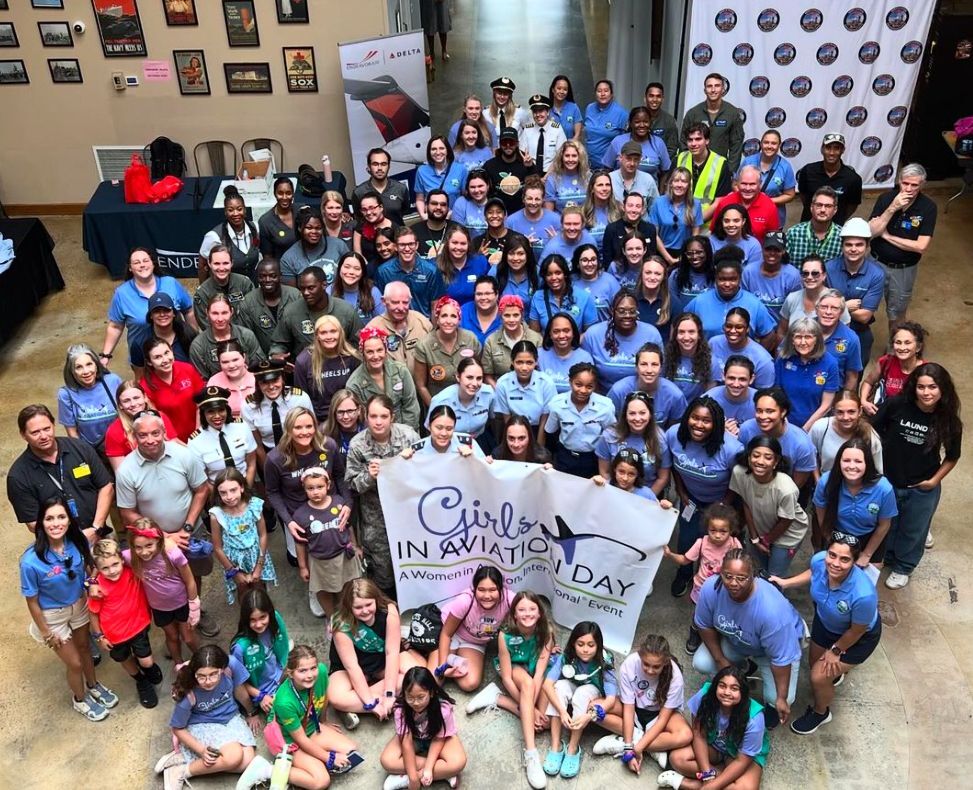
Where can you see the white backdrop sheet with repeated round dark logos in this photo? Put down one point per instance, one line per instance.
(812, 67)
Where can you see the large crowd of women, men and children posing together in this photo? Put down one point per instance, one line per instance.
(607, 293)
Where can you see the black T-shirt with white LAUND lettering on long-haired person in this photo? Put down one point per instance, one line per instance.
(903, 428)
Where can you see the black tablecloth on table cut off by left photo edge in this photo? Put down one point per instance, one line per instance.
(32, 275)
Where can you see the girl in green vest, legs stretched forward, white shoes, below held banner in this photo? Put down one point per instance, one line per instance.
(527, 637)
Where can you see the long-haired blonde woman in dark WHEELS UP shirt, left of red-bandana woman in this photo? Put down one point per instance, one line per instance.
(322, 368)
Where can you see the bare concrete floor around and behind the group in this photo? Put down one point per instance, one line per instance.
(903, 720)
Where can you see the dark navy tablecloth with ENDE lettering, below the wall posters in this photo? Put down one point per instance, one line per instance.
(175, 229)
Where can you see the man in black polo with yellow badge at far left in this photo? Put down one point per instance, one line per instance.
(55, 466)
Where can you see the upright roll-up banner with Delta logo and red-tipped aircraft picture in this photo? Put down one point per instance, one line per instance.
(386, 100)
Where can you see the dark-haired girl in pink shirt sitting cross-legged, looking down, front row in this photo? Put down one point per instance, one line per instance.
(425, 747)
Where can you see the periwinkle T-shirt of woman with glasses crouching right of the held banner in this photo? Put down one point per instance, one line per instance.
(763, 625)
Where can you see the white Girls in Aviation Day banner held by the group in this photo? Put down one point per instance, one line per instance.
(592, 551)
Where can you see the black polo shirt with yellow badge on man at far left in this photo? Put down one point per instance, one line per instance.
(78, 474)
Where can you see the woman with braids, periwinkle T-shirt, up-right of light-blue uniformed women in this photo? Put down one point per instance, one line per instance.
(614, 343)
